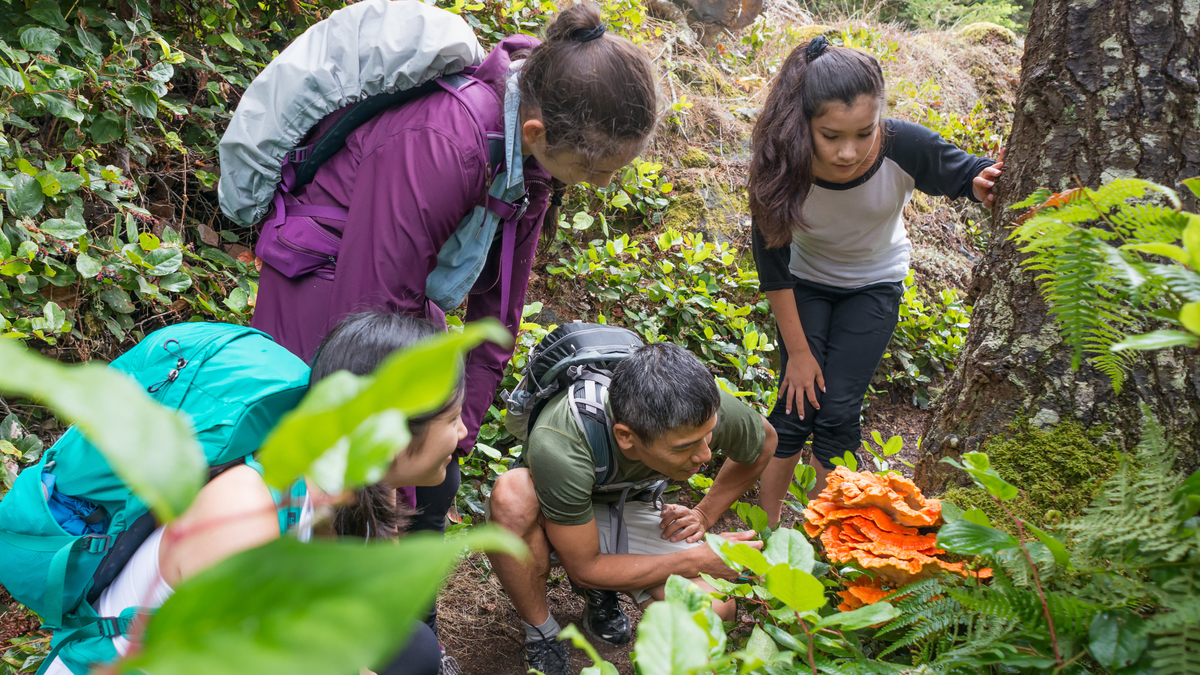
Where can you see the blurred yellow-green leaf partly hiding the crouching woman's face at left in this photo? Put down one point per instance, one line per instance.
(415, 381)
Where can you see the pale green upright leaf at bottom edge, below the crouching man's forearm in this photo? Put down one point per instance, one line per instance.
(670, 642)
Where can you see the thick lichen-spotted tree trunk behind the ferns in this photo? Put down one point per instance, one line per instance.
(1109, 89)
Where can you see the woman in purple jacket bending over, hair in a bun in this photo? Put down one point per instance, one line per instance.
(410, 176)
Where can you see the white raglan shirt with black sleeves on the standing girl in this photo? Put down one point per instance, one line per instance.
(856, 232)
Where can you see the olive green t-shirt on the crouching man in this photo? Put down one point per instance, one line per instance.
(565, 470)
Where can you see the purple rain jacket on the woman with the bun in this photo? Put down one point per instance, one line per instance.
(409, 177)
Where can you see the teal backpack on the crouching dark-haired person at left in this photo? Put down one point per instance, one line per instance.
(69, 525)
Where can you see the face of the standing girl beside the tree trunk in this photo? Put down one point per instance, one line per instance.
(844, 139)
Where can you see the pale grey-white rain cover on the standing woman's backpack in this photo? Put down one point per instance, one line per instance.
(364, 50)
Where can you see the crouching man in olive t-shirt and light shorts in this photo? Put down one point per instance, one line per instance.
(668, 419)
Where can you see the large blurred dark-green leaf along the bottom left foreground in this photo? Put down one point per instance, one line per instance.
(322, 608)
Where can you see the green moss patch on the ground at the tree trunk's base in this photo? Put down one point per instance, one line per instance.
(1057, 471)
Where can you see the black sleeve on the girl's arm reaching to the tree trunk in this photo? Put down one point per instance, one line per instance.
(937, 166)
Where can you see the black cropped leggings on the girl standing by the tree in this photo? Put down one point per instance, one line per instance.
(849, 331)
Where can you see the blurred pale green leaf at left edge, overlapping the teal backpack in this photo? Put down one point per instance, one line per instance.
(151, 449)
